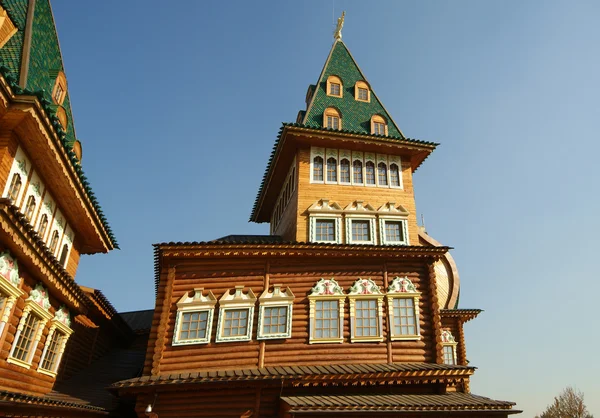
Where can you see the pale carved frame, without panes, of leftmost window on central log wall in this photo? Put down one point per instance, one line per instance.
(196, 302)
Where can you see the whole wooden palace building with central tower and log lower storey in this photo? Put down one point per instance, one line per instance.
(348, 308)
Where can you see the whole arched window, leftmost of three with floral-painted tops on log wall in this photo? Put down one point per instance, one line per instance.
(326, 312)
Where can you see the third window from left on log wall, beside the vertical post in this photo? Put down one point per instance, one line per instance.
(275, 316)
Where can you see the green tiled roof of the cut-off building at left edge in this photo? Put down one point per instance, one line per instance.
(45, 60)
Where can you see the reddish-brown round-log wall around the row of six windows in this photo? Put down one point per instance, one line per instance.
(300, 275)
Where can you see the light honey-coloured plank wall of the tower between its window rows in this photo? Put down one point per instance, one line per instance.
(309, 193)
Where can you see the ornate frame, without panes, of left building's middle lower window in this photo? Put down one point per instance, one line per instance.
(36, 304)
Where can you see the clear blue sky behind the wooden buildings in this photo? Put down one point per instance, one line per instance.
(177, 105)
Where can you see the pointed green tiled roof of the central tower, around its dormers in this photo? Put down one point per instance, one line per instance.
(356, 115)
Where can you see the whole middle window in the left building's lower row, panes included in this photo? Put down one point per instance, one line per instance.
(29, 331)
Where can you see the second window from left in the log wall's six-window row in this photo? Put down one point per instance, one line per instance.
(235, 315)
